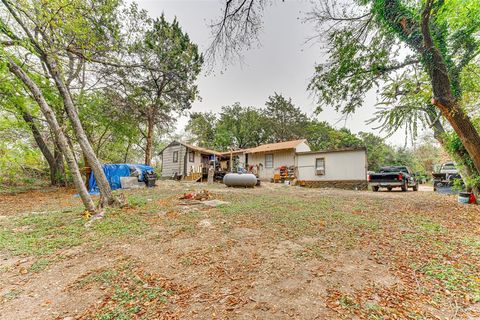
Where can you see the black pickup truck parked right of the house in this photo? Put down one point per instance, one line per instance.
(393, 177)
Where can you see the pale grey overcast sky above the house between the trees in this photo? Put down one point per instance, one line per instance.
(283, 63)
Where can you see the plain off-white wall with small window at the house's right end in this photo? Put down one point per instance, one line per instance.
(348, 165)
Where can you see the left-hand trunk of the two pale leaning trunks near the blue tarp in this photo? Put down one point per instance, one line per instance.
(58, 132)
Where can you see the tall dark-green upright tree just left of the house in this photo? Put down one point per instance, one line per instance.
(163, 81)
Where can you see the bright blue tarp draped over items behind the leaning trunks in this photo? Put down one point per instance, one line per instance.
(115, 171)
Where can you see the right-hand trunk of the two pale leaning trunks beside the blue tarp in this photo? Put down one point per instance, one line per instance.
(106, 195)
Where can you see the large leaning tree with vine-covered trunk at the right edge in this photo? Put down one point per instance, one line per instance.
(365, 54)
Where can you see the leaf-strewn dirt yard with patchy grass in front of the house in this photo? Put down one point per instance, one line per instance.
(274, 252)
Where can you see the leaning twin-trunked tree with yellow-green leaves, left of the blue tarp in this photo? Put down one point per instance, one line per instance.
(61, 37)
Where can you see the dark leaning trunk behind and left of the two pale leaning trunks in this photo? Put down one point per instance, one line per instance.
(56, 170)
